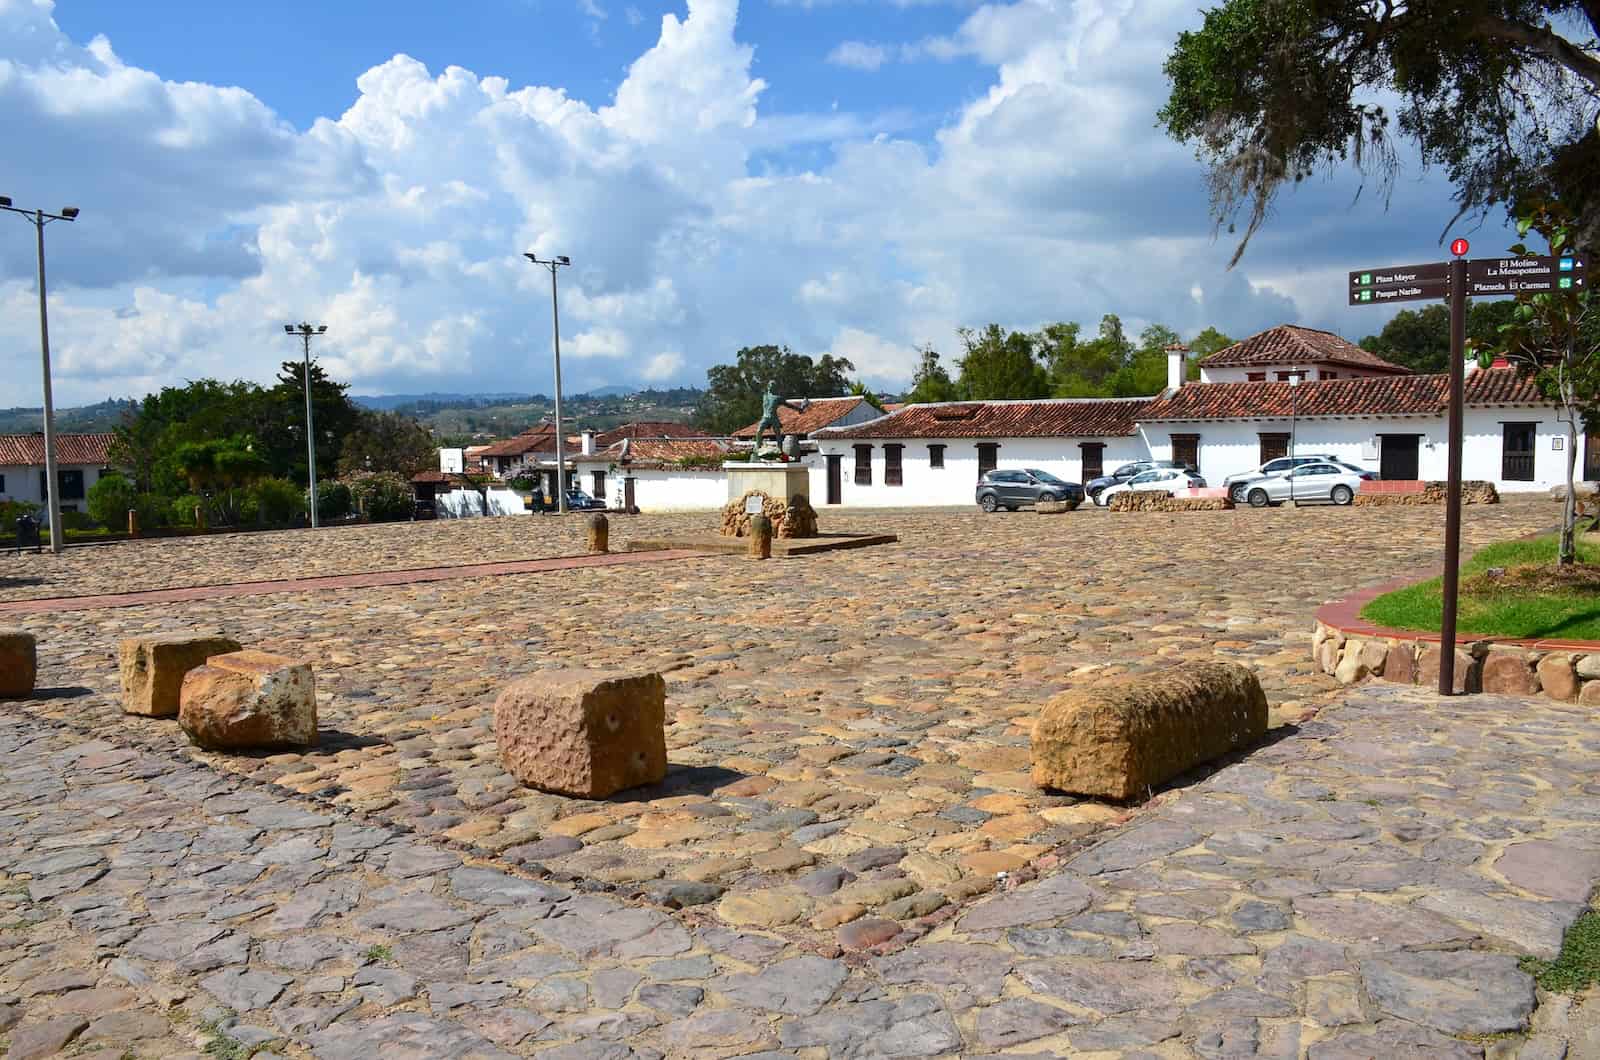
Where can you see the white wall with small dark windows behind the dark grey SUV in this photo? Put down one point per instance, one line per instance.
(958, 481)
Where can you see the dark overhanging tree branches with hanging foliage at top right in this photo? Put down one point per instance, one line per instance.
(1502, 94)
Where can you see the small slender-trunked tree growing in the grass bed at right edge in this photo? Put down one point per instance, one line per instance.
(1554, 337)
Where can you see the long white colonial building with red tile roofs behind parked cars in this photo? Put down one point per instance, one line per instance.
(1318, 395)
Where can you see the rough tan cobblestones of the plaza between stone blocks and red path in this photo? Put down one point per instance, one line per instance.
(850, 718)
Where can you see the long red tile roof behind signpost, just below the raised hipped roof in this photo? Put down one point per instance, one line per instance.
(1375, 396)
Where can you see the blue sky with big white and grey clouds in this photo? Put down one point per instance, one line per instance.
(847, 177)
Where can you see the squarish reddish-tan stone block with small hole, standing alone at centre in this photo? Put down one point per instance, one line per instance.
(582, 733)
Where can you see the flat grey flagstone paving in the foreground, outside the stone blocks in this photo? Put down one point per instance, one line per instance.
(1359, 888)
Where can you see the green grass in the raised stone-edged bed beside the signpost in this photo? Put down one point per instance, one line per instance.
(1511, 614)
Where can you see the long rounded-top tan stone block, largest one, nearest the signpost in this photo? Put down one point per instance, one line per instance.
(1122, 737)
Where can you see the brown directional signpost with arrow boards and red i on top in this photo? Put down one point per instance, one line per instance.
(1458, 281)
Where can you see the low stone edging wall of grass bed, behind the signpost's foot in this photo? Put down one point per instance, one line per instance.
(1481, 665)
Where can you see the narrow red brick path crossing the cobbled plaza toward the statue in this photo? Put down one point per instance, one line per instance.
(337, 582)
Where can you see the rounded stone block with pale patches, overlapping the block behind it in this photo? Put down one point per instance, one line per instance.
(249, 701)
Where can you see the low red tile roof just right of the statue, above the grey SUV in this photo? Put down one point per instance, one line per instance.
(1063, 417)
